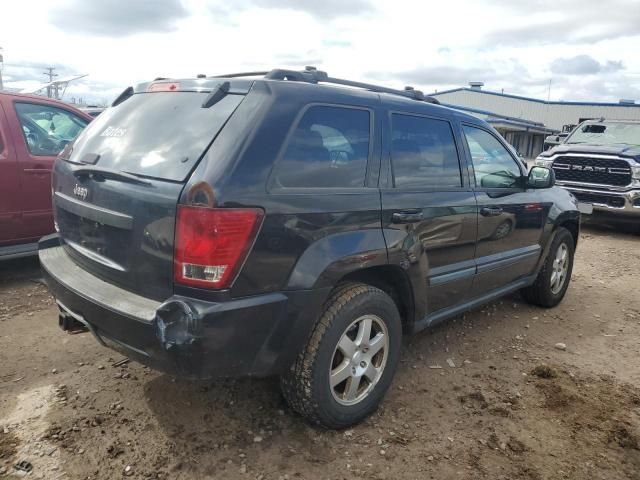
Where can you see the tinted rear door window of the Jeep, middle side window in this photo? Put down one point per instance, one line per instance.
(423, 153)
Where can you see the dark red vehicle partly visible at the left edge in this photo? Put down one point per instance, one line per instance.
(33, 130)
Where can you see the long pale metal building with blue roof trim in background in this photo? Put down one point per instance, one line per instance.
(523, 121)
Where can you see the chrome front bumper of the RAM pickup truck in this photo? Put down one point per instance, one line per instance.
(609, 203)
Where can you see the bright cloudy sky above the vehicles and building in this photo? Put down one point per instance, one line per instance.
(588, 49)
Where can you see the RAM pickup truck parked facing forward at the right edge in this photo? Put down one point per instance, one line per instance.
(599, 163)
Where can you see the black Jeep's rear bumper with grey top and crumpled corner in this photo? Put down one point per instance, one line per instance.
(258, 335)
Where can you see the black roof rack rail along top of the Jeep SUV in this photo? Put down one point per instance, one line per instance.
(313, 75)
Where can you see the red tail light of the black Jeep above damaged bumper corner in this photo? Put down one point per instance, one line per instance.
(212, 243)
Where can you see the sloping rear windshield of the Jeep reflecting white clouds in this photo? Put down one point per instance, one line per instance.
(158, 135)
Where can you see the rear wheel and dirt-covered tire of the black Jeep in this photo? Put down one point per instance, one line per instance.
(307, 384)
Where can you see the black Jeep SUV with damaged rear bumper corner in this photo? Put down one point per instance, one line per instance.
(287, 225)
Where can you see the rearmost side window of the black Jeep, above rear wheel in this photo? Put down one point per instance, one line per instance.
(328, 149)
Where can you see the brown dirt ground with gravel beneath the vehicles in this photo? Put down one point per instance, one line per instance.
(488, 395)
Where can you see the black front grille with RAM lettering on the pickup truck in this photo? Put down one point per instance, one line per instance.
(602, 171)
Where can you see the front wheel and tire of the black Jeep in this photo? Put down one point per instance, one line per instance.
(542, 292)
